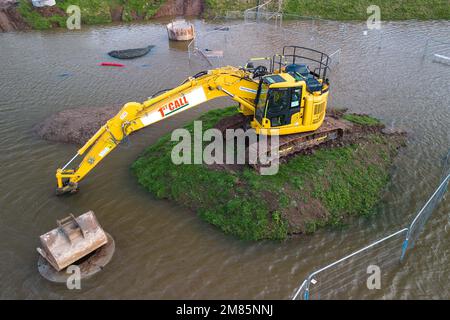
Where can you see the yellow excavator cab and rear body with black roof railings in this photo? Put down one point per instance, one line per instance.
(291, 96)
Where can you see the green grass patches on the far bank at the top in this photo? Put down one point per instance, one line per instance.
(99, 11)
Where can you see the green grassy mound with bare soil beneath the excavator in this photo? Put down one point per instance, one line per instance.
(309, 191)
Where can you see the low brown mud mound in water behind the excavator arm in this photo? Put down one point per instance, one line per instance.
(74, 125)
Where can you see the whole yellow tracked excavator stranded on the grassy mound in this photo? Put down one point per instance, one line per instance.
(287, 96)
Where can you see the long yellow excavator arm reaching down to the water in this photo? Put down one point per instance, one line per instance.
(208, 85)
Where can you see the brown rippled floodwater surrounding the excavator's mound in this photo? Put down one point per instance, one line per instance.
(165, 251)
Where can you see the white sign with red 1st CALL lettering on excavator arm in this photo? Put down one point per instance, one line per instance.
(181, 103)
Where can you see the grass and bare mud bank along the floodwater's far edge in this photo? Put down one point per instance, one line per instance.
(106, 11)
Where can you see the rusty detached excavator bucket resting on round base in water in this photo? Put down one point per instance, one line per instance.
(73, 239)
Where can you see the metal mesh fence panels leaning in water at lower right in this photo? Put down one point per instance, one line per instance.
(349, 275)
